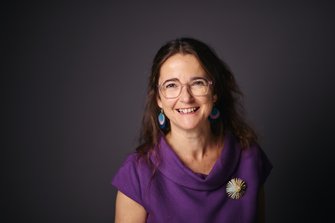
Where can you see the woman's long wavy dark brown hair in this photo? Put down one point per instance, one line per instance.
(224, 86)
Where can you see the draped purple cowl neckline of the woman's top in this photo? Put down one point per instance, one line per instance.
(170, 165)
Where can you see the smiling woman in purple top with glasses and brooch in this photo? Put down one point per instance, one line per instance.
(198, 160)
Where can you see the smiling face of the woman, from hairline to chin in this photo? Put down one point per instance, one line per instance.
(187, 111)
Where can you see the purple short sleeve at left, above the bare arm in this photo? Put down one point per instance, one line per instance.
(127, 179)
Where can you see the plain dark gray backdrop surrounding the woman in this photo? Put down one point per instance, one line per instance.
(74, 78)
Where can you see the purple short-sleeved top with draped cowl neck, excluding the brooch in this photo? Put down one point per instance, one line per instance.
(177, 194)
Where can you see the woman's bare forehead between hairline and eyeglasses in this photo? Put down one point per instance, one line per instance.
(183, 67)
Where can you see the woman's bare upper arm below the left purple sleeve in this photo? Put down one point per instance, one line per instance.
(128, 210)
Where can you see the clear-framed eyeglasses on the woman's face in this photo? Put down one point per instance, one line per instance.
(172, 88)
